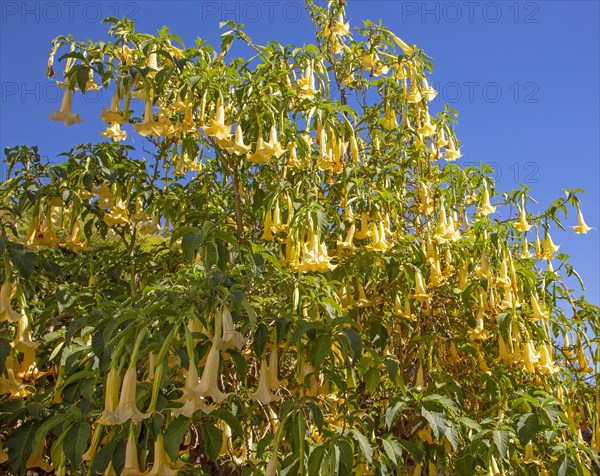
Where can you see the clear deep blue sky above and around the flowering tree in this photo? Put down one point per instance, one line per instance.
(524, 77)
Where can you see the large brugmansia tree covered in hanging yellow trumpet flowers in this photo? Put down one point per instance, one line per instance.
(297, 279)
